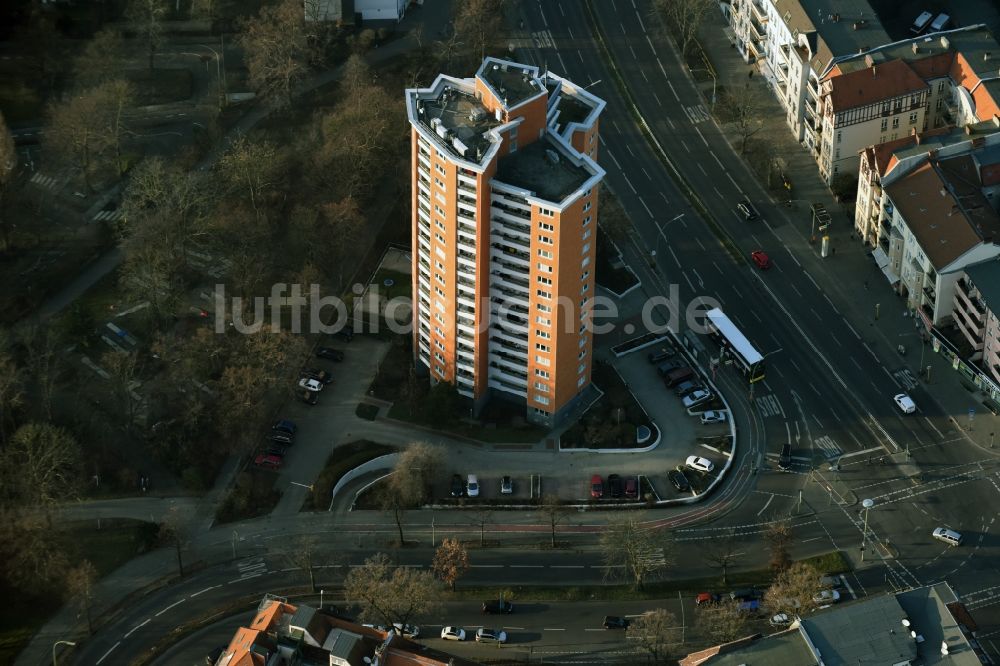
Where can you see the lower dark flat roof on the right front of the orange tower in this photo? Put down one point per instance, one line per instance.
(533, 168)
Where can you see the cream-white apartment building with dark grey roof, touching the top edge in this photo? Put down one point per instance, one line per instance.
(795, 43)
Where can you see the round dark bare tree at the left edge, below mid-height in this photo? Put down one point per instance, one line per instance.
(43, 466)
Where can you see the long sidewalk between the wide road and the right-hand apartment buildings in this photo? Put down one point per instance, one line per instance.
(849, 277)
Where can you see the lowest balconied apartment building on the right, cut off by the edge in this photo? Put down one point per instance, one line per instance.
(977, 315)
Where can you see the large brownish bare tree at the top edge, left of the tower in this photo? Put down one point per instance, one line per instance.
(276, 48)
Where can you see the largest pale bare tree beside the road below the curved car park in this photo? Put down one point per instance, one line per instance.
(633, 551)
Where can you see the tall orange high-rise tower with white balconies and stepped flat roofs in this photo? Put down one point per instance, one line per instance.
(505, 184)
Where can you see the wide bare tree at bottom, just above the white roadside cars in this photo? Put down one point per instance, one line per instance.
(391, 594)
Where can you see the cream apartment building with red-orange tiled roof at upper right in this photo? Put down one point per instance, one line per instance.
(917, 84)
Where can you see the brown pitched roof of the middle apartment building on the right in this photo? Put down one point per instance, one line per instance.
(945, 209)
